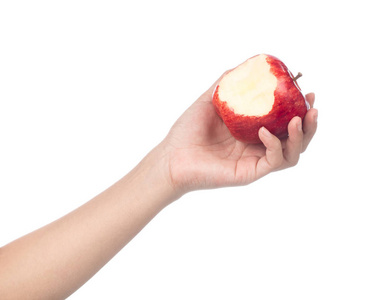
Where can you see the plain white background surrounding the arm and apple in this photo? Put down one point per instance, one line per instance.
(87, 88)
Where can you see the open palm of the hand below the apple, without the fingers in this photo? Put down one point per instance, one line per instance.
(207, 151)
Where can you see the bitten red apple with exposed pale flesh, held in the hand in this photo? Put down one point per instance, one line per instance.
(259, 92)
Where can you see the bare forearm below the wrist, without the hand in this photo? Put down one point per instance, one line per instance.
(54, 261)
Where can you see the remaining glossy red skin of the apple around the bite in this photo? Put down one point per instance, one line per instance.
(288, 103)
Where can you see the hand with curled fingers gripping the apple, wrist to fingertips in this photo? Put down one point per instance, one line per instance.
(203, 154)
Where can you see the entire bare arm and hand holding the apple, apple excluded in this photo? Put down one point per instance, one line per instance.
(198, 153)
